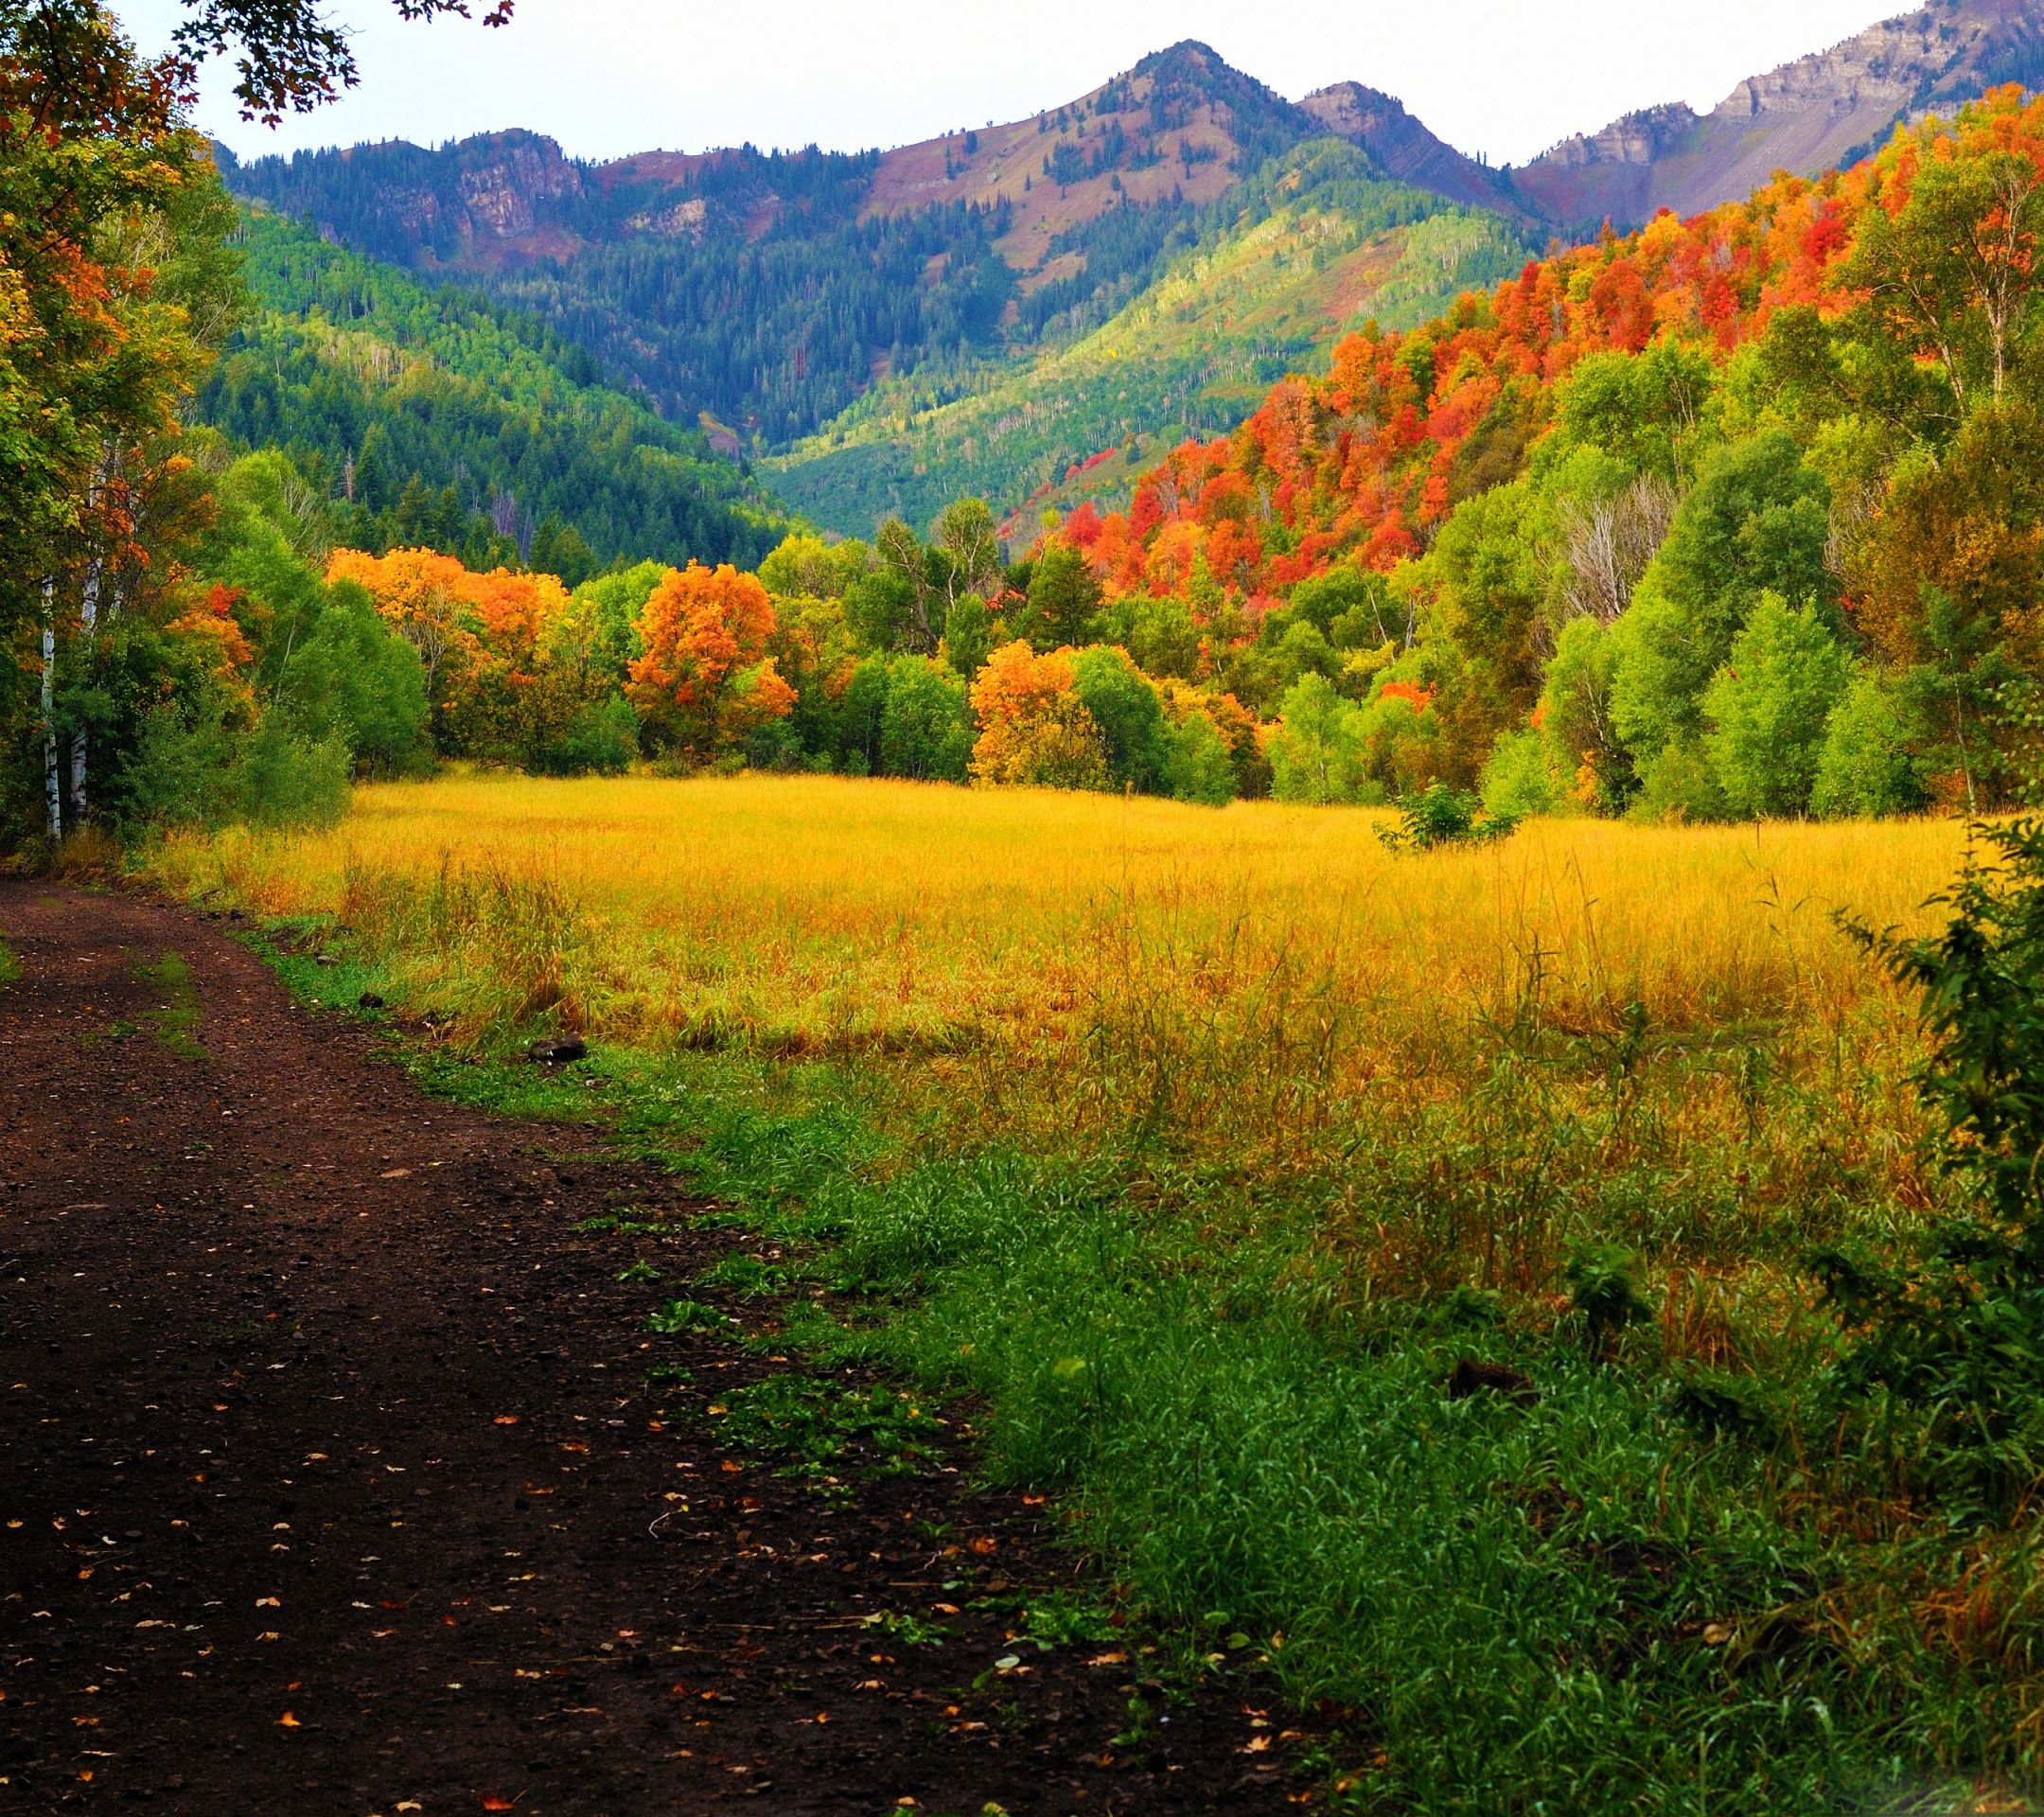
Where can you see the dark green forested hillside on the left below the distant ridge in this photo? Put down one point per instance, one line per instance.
(440, 418)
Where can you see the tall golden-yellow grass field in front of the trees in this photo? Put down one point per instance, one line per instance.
(1060, 958)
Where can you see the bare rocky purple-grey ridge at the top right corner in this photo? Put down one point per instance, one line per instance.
(1816, 113)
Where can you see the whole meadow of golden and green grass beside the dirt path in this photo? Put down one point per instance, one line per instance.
(1395, 1264)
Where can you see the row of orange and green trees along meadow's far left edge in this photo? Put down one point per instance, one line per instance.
(927, 659)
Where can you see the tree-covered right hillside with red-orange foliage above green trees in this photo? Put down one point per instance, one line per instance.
(1740, 516)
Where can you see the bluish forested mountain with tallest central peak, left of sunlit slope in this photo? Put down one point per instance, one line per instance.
(768, 291)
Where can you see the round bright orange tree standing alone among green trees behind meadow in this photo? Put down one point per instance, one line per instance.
(708, 678)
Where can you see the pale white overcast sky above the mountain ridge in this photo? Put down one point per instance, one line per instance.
(612, 77)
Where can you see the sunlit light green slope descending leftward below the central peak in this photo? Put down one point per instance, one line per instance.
(1193, 355)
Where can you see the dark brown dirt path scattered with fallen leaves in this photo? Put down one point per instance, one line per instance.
(332, 1483)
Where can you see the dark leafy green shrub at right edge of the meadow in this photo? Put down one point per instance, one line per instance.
(1957, 1340)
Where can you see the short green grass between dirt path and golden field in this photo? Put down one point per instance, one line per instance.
(1599, 1595)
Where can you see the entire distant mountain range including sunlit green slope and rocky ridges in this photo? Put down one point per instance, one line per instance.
(994, 308)
